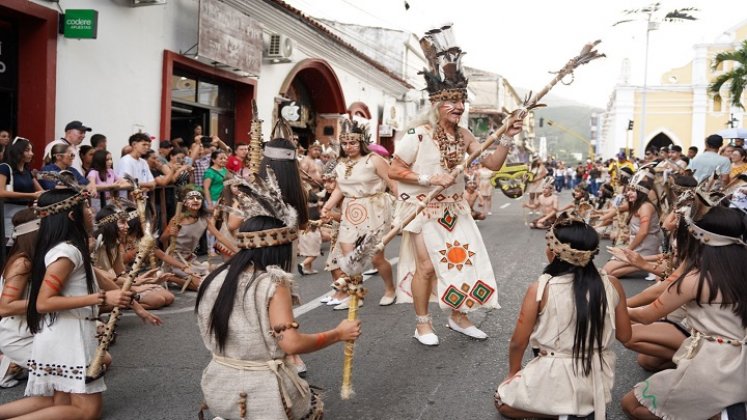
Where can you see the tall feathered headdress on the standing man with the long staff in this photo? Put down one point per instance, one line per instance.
(445, 80)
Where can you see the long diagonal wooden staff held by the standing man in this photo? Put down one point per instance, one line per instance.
(588, 53)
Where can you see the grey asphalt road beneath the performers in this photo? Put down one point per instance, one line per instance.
(156, 371)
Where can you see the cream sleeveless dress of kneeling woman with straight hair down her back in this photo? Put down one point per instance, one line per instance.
(548, 383)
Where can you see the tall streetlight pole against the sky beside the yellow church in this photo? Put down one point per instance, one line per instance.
(653, 21)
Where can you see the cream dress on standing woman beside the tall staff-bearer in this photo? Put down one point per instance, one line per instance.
(366, 206)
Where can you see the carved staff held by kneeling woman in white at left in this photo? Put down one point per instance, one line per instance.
(145, 248)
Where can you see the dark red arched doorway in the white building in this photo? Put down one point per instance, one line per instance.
(314, 86)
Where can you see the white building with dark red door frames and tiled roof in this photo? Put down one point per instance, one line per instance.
(167, 66)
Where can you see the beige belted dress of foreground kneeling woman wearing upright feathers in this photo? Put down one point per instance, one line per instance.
(251, 361)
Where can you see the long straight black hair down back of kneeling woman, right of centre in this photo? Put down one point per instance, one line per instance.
(588, 291)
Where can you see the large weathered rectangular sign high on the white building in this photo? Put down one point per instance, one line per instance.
(228, 36)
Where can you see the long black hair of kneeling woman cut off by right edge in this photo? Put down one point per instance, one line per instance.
(723, 268)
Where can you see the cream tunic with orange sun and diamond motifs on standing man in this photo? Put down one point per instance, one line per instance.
(462, 264)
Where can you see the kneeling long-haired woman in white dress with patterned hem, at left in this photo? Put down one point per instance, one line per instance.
(62, 310)
